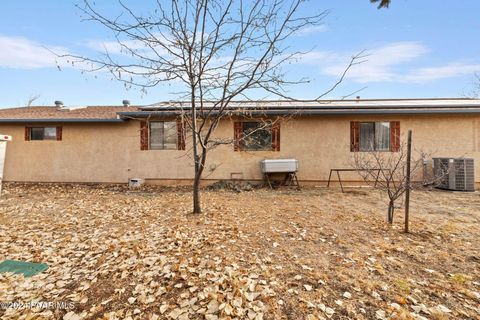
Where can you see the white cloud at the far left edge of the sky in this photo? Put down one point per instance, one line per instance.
(22, 53)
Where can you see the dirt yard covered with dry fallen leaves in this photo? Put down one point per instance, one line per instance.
(311, 254)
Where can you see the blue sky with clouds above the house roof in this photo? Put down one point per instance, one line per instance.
(416, 49)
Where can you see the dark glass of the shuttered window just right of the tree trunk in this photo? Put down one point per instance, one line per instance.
(257, 136)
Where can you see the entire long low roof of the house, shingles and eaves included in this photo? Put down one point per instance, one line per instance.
(272, 107)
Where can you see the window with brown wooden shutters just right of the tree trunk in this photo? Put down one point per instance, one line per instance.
(256, 136)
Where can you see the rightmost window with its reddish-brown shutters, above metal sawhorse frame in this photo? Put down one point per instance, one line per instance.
(375, 136)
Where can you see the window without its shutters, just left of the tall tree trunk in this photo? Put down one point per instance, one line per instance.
(163, 135)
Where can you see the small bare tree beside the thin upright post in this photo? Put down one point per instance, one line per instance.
(387, 171)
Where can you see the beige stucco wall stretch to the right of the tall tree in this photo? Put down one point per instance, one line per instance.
(323, 143)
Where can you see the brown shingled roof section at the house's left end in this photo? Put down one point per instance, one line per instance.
(64, 114)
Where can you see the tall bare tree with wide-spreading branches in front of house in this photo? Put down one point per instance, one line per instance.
(216, 51)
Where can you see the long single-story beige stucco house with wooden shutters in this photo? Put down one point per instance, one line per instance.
(111, 144)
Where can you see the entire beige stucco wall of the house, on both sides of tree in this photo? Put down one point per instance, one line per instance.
(111, 152)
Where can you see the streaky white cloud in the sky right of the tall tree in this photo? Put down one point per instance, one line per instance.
(389, 63)
